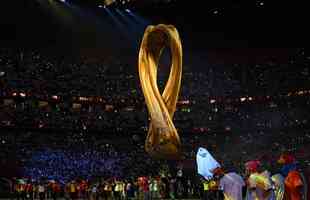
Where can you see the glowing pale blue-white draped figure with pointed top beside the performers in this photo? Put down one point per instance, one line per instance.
(206, 163)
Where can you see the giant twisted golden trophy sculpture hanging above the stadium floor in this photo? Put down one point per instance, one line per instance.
(162, 140)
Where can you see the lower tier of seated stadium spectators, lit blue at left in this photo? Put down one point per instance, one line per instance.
(64, 156)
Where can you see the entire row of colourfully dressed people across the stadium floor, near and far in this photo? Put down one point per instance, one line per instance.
(283, 179)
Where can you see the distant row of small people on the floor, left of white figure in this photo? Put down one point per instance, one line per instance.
(113, 188)
